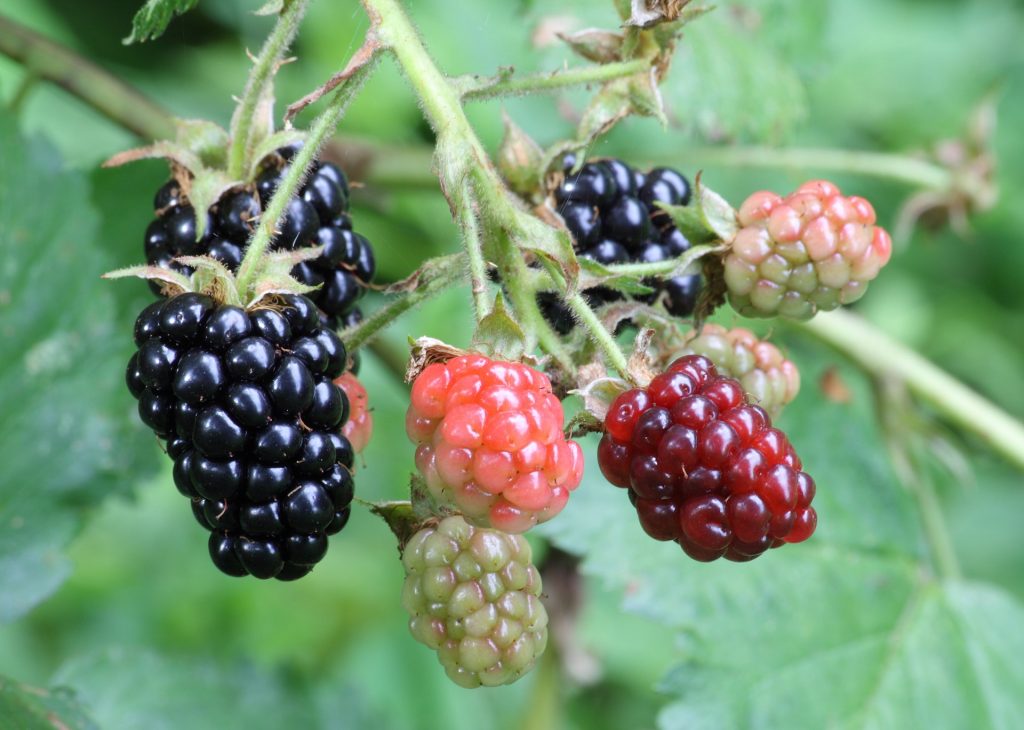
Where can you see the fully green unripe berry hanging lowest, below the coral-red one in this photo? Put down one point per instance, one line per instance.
(474, 596)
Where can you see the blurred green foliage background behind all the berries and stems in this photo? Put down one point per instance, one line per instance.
(105, 584)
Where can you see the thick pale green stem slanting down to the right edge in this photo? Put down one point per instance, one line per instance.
(881, 356)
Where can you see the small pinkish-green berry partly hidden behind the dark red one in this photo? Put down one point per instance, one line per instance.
(770, 379)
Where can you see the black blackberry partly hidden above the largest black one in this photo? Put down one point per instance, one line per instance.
(318, 217)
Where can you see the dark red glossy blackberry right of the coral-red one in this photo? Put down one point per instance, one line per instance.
(705, 468)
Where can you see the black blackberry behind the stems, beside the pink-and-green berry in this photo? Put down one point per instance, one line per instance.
(610, 209)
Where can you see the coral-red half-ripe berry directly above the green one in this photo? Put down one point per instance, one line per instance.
(490, 441)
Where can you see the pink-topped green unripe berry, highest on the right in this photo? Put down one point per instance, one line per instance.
(815, 250)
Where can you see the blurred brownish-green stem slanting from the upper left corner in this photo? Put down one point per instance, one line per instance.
(106, 94)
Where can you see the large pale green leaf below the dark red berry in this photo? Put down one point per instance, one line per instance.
(851, 629)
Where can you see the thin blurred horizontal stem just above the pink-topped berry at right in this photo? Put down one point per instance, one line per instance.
(919, 174)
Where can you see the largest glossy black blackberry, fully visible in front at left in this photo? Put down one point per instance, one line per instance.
(251, 416)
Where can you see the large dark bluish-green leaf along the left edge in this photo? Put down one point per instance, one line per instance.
(69, 437)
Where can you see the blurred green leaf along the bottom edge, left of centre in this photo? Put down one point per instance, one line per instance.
(188, 694)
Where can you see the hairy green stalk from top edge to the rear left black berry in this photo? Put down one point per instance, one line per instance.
(262, 75)
